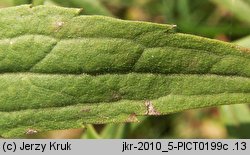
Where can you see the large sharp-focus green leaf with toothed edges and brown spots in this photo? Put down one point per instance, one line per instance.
(60, 69)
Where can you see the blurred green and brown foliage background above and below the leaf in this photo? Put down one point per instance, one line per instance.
(226, 20)
